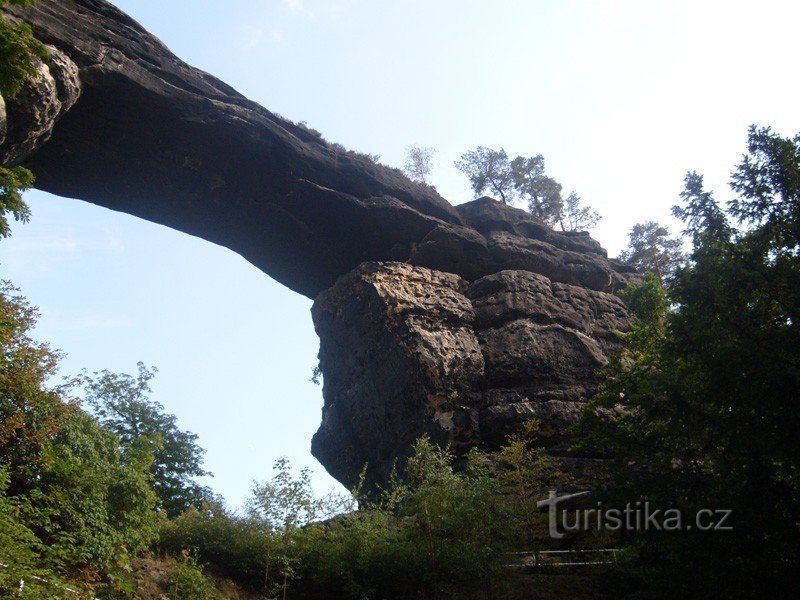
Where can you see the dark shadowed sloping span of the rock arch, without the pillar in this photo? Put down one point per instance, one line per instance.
(156, 138)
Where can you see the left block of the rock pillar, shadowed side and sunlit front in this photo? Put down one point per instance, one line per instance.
(396, 348)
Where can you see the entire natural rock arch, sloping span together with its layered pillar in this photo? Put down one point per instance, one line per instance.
(458, 322)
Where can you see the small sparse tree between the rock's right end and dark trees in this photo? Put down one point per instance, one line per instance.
(651, 248)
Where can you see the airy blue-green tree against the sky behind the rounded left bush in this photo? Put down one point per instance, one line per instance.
(120, 402)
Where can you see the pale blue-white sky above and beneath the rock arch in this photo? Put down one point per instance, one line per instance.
(621, 97)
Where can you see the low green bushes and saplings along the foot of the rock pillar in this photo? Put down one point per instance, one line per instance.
(437, 532)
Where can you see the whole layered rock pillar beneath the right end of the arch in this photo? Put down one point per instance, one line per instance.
(407, 351)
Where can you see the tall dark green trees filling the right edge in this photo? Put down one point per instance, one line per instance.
(711, 378)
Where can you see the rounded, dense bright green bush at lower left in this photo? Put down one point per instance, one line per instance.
(91, 504)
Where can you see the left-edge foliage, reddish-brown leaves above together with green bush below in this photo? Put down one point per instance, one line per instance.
(84, 501)
